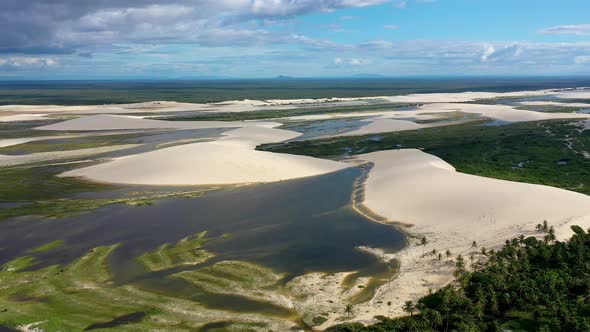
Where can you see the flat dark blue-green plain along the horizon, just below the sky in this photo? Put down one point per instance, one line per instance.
(202, 91)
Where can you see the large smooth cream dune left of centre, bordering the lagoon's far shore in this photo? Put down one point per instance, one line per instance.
(230, 160)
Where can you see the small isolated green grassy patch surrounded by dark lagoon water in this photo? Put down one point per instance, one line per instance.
(185, 252)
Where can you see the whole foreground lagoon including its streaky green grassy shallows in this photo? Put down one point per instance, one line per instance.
(234, 253)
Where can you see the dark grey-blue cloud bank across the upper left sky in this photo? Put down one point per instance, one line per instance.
(65, 26)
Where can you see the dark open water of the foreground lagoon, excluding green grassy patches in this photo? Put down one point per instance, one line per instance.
(293, 227)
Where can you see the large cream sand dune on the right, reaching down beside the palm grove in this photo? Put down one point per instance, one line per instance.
(452, 210)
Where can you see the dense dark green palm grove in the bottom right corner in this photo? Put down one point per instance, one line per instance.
(528, 285)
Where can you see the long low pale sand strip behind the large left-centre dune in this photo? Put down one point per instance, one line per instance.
(120, 122)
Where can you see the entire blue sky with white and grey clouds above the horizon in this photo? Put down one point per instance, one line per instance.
(171, 39)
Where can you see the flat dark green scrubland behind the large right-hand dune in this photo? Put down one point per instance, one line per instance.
(549, 152)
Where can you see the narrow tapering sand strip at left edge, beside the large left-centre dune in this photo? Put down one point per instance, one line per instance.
(13, 160)
